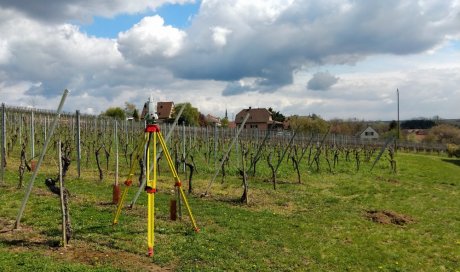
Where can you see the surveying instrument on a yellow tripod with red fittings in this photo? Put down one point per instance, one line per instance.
(152, 135)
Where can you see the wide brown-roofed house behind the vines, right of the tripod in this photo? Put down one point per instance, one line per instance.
(259, 118)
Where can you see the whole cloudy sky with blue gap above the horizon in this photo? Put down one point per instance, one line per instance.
(334, 58)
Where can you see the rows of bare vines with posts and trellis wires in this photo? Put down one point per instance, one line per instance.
(96, 143)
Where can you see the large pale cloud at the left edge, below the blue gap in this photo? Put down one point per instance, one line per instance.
(56, 56)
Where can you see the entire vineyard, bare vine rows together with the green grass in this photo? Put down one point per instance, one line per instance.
(264, 200)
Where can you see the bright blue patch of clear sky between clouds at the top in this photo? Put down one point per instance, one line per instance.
(176, 15)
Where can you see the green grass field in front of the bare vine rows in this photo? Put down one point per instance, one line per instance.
(340, 221)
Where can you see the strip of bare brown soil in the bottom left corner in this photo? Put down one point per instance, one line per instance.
(27, 239)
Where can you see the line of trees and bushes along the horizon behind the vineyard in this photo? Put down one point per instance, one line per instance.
(425, 130)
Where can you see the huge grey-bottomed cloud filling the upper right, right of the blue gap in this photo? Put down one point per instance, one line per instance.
(270, 40)
